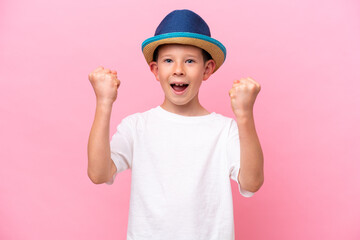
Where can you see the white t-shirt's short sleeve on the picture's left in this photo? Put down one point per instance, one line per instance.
(121, 146)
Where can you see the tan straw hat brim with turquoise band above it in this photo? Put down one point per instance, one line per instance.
(211, 45)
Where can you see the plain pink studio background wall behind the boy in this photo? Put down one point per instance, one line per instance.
(304, 53)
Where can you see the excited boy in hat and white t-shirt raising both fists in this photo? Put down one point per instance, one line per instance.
(181, 156)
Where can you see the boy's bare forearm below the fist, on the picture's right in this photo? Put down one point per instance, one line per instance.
(251, 175)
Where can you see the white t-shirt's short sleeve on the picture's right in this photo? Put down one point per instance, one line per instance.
(233, 156)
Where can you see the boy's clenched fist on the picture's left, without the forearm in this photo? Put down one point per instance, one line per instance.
(105, 84)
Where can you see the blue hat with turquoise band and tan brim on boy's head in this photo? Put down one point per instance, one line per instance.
(184, 27)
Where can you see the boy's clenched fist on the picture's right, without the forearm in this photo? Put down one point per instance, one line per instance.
(243, 94)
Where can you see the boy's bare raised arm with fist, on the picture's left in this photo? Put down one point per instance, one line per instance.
(100, 166)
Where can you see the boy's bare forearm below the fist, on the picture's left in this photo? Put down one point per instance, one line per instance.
(99, 157)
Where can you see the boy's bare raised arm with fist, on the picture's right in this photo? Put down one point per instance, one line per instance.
(243, 95)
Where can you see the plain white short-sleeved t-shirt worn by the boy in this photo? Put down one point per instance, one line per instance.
(181, 170)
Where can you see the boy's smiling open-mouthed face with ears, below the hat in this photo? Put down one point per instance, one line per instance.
(180, 69)
